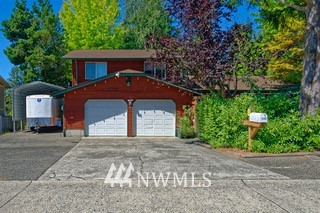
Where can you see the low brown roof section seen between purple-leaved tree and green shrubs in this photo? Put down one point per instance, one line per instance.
(246, 83)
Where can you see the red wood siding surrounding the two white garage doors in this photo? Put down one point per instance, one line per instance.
(116, 88)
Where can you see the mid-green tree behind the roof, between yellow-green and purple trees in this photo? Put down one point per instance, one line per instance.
(143, 19)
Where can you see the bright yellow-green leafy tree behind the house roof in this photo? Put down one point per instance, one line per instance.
(92, 24)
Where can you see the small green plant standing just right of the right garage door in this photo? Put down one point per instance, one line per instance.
(186, 129)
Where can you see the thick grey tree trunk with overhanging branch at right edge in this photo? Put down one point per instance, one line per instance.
(310, 84)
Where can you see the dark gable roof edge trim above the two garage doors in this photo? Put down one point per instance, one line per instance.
(123, 73)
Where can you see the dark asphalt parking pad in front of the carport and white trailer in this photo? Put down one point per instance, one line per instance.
(26, 156)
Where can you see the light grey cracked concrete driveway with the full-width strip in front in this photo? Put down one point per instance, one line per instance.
(236, 186)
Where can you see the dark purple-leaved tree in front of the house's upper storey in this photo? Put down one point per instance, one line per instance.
(200, 54)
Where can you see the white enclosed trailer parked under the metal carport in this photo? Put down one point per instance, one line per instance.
(42, 110)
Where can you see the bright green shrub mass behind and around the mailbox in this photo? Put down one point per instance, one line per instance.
(220, 122)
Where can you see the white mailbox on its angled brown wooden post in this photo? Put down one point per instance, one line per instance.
(255, 122)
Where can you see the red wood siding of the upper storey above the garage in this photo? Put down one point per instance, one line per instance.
(112, 66)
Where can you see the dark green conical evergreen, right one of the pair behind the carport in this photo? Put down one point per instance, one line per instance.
(45, 36)
